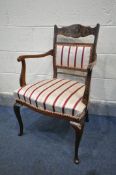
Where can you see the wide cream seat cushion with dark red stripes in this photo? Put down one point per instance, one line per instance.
(56, 95)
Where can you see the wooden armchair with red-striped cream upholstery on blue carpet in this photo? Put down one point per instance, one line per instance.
(61, 97)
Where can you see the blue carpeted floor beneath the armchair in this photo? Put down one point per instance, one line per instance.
(46, 148)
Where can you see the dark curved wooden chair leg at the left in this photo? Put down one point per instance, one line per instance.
(18, 116)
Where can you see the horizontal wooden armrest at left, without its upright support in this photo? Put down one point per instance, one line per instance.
(23, 57)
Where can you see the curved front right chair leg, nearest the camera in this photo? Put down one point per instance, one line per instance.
(78, 135)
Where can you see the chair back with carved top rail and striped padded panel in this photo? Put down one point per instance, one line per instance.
(70, 53)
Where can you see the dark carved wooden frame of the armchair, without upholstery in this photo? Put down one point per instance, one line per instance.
(77, 122)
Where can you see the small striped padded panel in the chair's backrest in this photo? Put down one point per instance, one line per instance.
(75, 55)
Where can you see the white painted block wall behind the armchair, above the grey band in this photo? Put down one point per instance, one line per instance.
(26, 26)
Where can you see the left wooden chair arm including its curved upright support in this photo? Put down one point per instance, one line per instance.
(23, 70)
